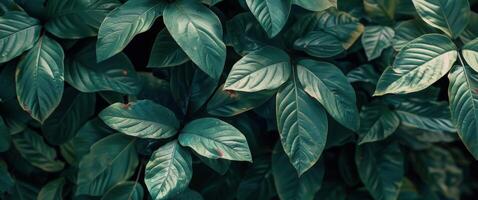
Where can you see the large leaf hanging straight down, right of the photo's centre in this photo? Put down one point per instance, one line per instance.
(302, 125)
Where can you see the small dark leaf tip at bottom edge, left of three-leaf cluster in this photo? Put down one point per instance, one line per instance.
(125, 190)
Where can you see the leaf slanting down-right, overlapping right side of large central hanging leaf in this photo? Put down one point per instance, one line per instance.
(328, 85)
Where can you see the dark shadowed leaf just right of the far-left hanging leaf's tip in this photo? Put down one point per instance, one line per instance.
(74, 110)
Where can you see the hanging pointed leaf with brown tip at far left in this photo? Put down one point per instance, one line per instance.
(39, 79)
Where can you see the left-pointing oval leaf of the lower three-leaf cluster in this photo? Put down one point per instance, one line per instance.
(141, 119)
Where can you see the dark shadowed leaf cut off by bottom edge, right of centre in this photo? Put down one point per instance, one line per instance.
(381, 168)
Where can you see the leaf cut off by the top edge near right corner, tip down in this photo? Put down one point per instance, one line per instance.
(451, 17)
